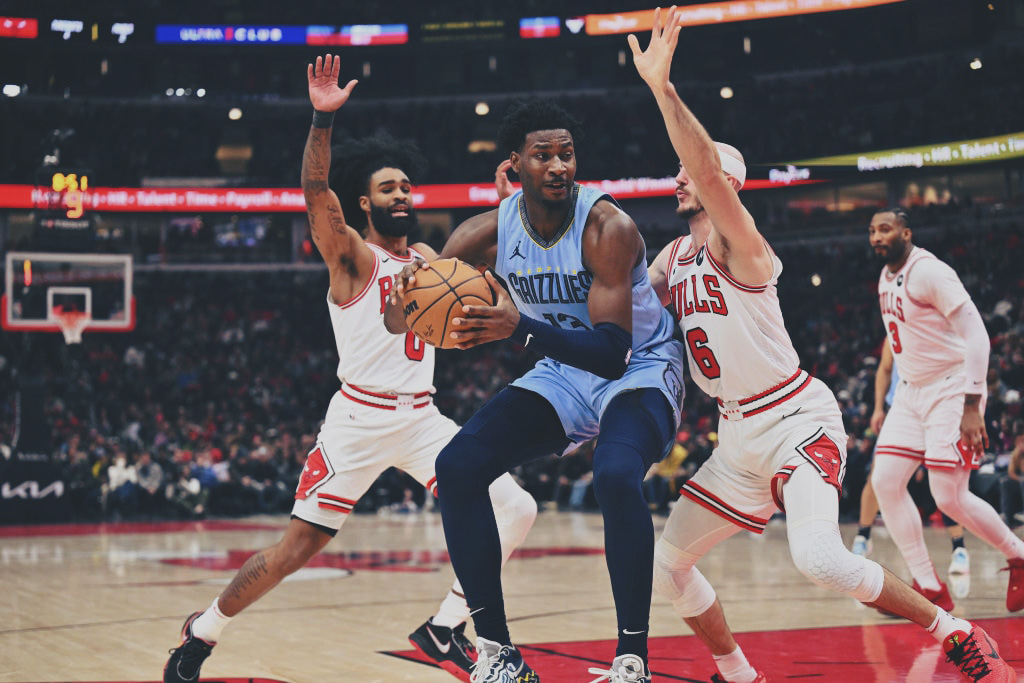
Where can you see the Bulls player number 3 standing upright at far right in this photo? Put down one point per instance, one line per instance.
(937, 418)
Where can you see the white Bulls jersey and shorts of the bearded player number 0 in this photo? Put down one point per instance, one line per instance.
(383, 416)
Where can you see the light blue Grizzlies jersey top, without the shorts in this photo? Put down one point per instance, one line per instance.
(548, 280)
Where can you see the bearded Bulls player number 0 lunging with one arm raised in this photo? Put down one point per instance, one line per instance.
(383, 415)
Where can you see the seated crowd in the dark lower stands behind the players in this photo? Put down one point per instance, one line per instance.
(210, 405)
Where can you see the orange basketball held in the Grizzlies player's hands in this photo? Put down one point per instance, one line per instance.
(440, 294)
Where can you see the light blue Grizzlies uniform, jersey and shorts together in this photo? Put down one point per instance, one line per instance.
(549, 283)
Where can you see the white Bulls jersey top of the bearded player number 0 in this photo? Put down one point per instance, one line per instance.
(370, 357)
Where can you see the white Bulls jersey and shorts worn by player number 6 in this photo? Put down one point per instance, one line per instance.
(775, 415)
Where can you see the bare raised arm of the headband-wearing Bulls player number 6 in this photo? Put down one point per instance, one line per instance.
(736, 239)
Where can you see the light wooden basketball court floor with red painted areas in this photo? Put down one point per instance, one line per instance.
(106, 603)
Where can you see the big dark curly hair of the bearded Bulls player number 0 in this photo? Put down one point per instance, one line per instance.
(354, 162)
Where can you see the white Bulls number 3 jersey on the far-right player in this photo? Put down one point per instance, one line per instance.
(916, 303)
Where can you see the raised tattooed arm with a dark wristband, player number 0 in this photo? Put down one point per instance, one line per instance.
(349, 260)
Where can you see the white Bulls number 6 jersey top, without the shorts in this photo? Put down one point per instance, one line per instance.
(738, 346)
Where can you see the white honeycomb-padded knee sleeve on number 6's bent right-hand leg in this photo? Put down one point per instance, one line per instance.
(820, 554)
